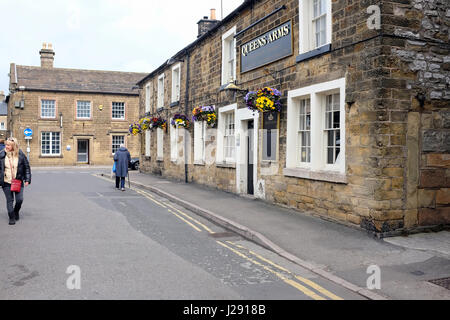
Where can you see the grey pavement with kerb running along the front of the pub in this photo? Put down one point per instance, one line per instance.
(339, 253)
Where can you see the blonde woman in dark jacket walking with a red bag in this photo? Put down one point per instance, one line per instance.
(13, 165)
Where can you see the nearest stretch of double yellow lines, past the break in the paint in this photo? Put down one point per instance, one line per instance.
(298, 285)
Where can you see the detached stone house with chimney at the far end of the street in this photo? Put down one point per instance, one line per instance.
(76, 116)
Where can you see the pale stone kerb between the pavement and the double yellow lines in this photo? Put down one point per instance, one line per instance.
(264, 242)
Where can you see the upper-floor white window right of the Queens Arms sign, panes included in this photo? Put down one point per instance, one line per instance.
(315, 24)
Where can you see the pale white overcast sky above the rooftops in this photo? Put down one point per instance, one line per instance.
(115, 35)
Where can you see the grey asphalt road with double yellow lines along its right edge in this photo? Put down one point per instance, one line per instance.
(80, 238)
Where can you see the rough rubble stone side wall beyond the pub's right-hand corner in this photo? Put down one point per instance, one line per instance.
(420, 53)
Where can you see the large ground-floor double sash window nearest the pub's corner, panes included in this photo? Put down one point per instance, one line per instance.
(316, 127)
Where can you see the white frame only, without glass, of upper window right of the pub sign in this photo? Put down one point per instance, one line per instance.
(306, 28)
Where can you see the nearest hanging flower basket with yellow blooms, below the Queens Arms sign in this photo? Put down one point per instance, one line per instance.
(265, 99)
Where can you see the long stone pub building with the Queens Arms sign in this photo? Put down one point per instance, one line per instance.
(363, 137)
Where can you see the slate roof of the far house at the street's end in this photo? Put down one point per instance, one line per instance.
(76, 80)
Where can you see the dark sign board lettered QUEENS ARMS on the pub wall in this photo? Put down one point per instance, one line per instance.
(271, 46)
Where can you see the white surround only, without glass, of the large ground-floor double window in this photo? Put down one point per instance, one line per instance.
(317, 93)
